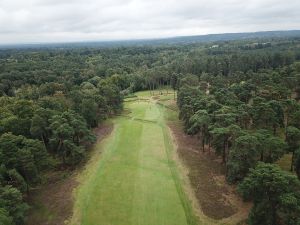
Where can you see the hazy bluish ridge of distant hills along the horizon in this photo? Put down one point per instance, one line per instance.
(171, 40)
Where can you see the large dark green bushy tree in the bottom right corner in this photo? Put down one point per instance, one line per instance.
(275, 194)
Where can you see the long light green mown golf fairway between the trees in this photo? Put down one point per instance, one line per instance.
(135, 181)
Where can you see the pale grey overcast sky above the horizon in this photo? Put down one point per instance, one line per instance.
(25, 21)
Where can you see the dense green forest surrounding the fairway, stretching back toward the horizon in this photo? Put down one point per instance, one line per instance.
(240, 98)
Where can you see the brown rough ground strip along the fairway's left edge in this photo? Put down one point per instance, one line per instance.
(52, 202)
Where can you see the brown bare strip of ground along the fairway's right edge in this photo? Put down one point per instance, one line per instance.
(217, 199)
